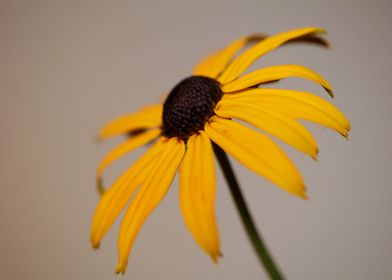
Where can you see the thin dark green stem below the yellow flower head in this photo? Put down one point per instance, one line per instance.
(261, 250)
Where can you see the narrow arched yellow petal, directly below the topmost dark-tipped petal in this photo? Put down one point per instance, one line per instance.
(275, 73)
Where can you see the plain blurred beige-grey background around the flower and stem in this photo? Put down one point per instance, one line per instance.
(66, 67)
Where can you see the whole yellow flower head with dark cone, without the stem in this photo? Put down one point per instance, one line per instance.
(201, 109)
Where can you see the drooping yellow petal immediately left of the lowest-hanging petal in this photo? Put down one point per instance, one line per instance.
(117, 196)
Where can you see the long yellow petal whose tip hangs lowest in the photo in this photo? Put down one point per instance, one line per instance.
(152, 191)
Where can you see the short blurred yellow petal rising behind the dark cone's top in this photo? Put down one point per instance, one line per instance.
(215, 63)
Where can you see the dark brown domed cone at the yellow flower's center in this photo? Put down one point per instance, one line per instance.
(189, 106)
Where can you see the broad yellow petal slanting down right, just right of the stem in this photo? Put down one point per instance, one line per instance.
(257, 152)
